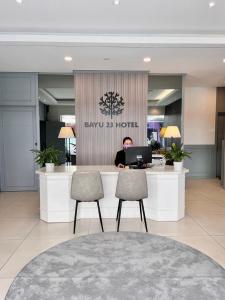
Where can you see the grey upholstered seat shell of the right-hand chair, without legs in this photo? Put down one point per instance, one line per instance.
(132, 185)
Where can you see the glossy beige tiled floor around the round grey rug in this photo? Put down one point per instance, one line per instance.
(23, 235)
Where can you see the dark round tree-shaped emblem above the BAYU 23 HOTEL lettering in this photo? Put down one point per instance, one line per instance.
(111, 104)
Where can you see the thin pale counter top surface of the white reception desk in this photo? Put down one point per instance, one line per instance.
(108, 169)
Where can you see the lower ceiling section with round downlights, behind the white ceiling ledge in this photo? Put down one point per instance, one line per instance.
(203, 66)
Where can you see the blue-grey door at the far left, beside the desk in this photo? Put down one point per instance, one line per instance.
(18, 137)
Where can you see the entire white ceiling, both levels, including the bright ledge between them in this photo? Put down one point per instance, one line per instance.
(180, 36)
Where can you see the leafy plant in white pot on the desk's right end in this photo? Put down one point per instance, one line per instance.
(177, 154)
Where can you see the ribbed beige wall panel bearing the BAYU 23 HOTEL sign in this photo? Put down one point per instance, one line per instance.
(99, 145)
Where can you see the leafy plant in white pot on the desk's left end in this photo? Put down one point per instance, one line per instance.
(48, 157)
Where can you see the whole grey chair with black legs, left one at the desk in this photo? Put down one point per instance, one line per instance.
(87, 187)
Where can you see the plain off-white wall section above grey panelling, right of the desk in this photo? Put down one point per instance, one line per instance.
(199, 115)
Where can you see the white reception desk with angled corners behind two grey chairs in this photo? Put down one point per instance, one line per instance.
(166, 189)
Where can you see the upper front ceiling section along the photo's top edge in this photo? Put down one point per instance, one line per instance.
(101, 16)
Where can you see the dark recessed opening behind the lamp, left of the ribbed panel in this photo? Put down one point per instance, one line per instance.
(57, 109)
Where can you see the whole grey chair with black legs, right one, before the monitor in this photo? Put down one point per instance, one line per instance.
(131, 186)
